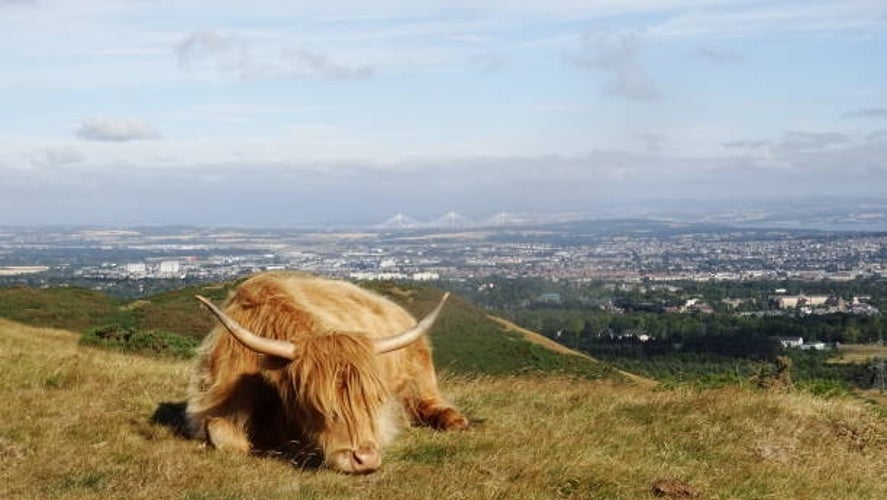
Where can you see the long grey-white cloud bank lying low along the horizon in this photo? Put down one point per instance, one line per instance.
(289, 188)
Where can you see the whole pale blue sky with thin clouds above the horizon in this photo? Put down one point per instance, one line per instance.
(291, 113)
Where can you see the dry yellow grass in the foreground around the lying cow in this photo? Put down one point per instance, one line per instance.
(76, 423)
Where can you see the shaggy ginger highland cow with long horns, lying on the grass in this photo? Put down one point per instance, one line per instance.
(306, 364)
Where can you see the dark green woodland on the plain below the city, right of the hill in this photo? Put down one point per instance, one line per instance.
(629, 326)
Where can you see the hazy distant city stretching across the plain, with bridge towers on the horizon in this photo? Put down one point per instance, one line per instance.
(618, 250)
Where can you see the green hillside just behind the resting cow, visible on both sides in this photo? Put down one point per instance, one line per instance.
(465, 340)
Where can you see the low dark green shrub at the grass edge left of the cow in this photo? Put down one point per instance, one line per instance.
(155, 342)
